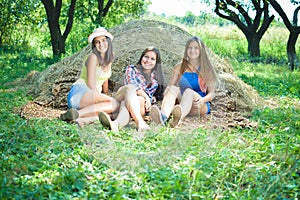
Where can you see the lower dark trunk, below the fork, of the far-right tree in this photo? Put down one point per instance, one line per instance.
(291, 50)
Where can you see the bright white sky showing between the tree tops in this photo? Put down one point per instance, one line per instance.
(180, 7)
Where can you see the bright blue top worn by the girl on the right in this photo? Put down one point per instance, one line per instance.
(190, 80)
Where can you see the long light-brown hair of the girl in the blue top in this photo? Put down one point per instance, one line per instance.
(207, 71)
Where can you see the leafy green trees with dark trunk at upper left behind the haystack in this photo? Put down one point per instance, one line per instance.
(27, 17)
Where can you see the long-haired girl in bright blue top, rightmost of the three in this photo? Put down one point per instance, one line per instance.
(192, 84)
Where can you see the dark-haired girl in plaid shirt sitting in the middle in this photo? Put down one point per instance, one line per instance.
(143, 85)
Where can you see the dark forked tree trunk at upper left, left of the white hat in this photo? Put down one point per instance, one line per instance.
(53, 14)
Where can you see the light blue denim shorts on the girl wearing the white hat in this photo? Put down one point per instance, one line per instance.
(75, 95)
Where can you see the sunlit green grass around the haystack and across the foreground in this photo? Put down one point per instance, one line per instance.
(50, 159)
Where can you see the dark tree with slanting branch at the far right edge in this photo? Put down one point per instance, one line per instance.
(294, 30)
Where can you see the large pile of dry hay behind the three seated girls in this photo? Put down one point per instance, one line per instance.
(51, 86)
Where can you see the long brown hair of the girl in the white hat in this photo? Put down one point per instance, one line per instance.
(109, 55)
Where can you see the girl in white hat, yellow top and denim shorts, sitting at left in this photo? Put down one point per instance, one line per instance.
(87, 96)
